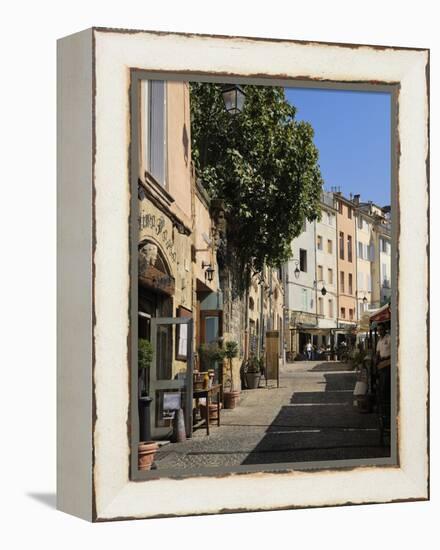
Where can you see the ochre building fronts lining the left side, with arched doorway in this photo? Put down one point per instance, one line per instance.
(182, 260)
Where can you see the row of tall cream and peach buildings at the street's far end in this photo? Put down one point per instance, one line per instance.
(350, 251)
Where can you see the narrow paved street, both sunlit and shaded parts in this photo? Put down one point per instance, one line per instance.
(309, 417)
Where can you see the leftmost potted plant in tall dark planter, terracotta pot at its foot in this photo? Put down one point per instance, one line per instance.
(147, 448)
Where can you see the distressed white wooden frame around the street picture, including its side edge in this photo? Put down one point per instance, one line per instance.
(94, 68)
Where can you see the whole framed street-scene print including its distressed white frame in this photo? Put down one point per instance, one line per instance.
(243, 313)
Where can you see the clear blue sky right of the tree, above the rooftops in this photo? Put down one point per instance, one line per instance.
(353, 135)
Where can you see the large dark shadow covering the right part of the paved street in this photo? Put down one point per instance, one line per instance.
(321, 426)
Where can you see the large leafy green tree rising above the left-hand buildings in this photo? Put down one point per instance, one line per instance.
(263, 164)
